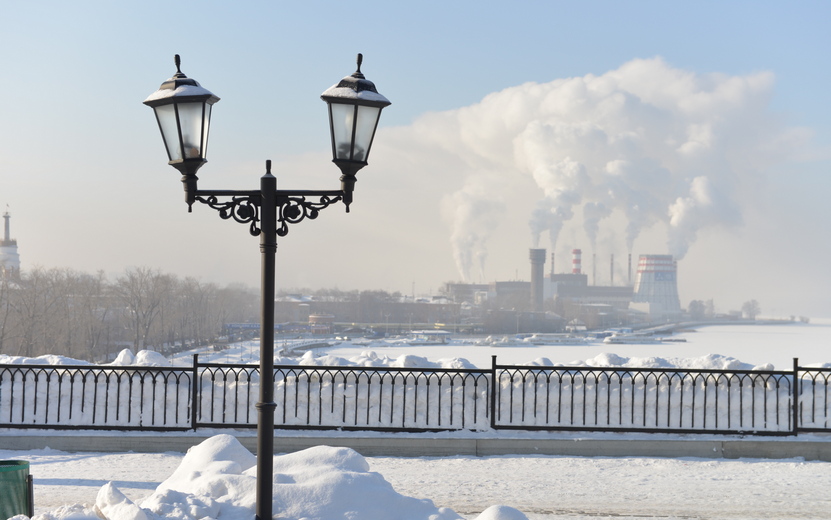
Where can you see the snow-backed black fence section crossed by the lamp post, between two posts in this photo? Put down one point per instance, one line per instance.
(376, 398)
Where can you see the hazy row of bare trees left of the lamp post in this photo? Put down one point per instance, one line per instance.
(90, 317)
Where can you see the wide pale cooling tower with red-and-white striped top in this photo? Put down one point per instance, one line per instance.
(656, 286)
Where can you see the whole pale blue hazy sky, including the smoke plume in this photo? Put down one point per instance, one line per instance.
(699, 129)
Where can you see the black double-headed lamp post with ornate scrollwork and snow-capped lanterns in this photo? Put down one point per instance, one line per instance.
(183, 112)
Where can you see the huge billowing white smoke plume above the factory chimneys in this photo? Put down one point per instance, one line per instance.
(643, 145)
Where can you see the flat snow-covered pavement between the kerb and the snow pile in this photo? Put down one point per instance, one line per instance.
(541, 487)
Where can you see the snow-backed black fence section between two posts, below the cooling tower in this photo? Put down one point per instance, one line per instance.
(679, 400)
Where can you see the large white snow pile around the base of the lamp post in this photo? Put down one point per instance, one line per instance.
(217, 480)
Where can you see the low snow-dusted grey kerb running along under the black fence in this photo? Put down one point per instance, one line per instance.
(804, 446)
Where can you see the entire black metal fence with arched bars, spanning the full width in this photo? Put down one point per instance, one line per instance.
(418, 399)
